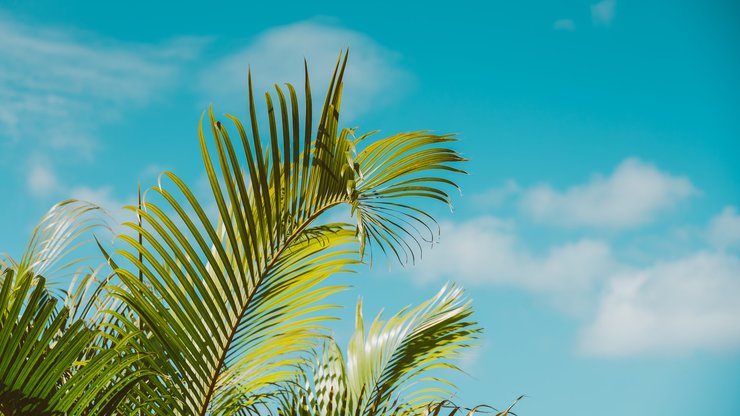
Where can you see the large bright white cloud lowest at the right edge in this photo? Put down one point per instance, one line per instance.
(672, 307)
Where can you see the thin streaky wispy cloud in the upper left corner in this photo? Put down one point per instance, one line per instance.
(60, 88)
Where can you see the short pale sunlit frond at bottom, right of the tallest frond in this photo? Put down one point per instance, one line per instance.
(392, 356)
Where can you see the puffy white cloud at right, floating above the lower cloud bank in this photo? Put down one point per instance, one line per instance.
(633, 195)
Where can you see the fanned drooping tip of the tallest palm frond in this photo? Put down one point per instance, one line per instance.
(391, 171)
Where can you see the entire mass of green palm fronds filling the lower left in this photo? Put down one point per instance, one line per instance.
(224, 314)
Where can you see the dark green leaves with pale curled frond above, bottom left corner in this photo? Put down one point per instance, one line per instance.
(56, 360)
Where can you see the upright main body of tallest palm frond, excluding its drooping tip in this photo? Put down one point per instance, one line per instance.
(232, 305)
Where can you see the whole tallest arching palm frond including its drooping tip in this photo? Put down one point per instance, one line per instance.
(230, 308)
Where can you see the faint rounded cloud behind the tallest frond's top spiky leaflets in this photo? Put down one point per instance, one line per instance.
(276, 56)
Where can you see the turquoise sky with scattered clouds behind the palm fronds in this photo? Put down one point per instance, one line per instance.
(598, 230)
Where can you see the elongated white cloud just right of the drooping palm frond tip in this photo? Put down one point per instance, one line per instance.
(487, 251)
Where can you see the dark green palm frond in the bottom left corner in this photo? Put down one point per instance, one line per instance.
(47, 364)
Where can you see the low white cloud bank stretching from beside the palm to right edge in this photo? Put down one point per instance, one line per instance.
(674, 305)
